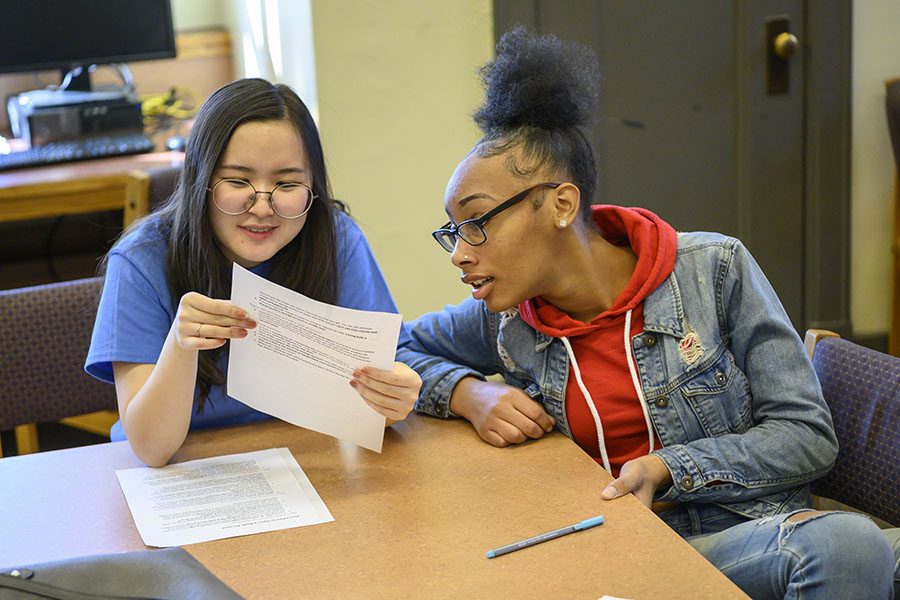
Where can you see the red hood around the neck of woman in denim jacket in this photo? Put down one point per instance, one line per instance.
(653, 241)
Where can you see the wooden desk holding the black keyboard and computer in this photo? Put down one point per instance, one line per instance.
(78, 187)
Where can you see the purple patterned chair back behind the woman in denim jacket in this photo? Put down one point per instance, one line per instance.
(862, 388)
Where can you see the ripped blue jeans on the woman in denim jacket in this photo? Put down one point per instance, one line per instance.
(829, 555)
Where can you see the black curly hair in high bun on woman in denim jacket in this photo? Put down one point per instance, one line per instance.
(541, 95)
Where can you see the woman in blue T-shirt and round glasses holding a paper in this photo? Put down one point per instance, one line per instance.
(253, 190)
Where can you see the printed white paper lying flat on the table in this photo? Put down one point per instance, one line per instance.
(221, 497)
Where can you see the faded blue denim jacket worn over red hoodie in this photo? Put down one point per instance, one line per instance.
(739, 411)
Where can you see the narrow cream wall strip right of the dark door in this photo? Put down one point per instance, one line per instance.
(876, 57)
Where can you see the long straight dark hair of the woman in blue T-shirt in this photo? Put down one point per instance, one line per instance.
(194, 261)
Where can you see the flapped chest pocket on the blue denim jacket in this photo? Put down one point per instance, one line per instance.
(719, 396)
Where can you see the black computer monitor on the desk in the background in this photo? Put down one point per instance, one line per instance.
(38, 35)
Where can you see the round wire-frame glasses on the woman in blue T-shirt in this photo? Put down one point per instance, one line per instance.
(291, 197)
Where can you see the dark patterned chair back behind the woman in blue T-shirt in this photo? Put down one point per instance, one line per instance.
(46, 335)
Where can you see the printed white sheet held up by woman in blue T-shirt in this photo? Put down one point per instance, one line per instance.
(297, 363)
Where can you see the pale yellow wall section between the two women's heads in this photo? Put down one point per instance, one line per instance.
(397, 84)
